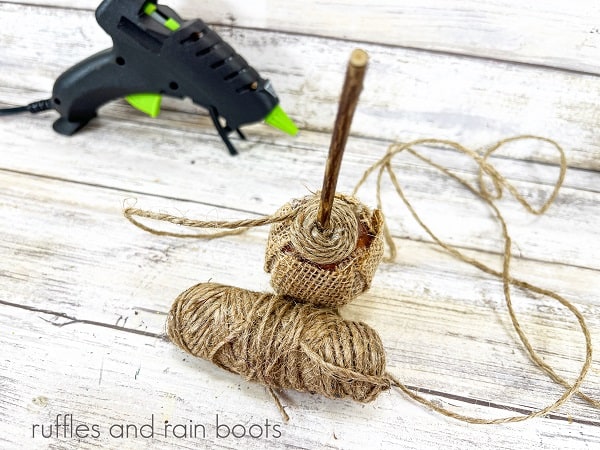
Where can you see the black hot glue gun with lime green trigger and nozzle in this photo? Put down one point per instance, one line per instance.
(157, 53)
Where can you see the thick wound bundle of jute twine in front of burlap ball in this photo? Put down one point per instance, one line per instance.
(279, 343)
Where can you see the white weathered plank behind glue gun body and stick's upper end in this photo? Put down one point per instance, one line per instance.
(408, 94)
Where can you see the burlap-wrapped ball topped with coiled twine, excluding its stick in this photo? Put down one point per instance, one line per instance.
(325, 267)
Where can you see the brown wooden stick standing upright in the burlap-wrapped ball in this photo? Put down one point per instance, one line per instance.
(353, 84)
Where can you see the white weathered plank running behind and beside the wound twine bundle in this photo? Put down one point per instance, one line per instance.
(76, 256)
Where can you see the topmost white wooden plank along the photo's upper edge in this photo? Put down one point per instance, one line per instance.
(553, 33)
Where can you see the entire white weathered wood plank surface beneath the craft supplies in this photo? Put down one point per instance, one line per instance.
(84, 294)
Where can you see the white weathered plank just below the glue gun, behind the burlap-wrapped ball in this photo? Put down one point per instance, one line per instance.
(173, 163)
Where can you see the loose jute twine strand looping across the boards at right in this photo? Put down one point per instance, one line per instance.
(499, 182)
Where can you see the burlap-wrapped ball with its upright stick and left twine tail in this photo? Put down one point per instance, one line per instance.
(323, 249)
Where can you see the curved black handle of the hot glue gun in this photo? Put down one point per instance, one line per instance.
(81, 90)
